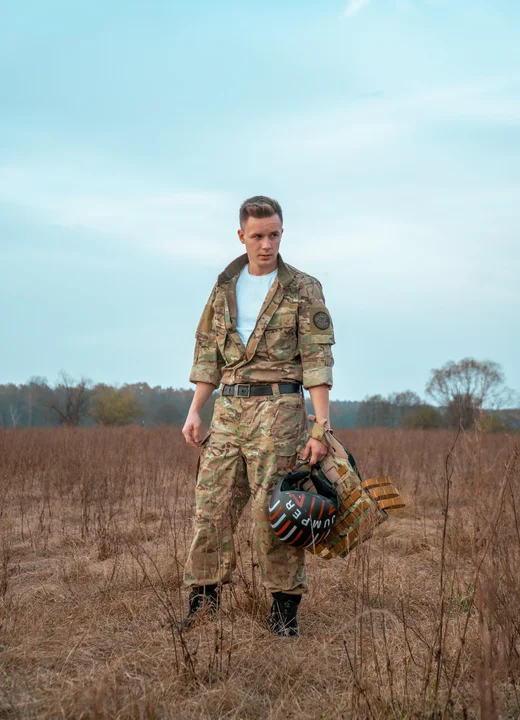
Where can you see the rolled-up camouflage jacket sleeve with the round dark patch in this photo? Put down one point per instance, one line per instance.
(315, 335)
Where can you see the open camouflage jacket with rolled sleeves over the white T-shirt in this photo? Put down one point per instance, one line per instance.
(291, 341)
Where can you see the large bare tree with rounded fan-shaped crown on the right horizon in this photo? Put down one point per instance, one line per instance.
(467, 387)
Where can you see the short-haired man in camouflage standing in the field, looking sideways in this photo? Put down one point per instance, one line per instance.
(265, 332)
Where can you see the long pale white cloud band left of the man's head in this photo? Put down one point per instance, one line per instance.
(184, 224)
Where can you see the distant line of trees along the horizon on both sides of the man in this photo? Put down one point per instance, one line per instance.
(460, 394)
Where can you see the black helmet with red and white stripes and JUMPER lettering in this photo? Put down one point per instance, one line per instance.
(301, 518)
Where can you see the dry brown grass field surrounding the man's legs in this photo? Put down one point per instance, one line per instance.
(421, 621)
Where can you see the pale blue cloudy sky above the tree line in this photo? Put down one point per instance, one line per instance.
(130, 132)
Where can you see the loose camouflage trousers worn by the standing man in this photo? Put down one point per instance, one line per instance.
(252, 443)
